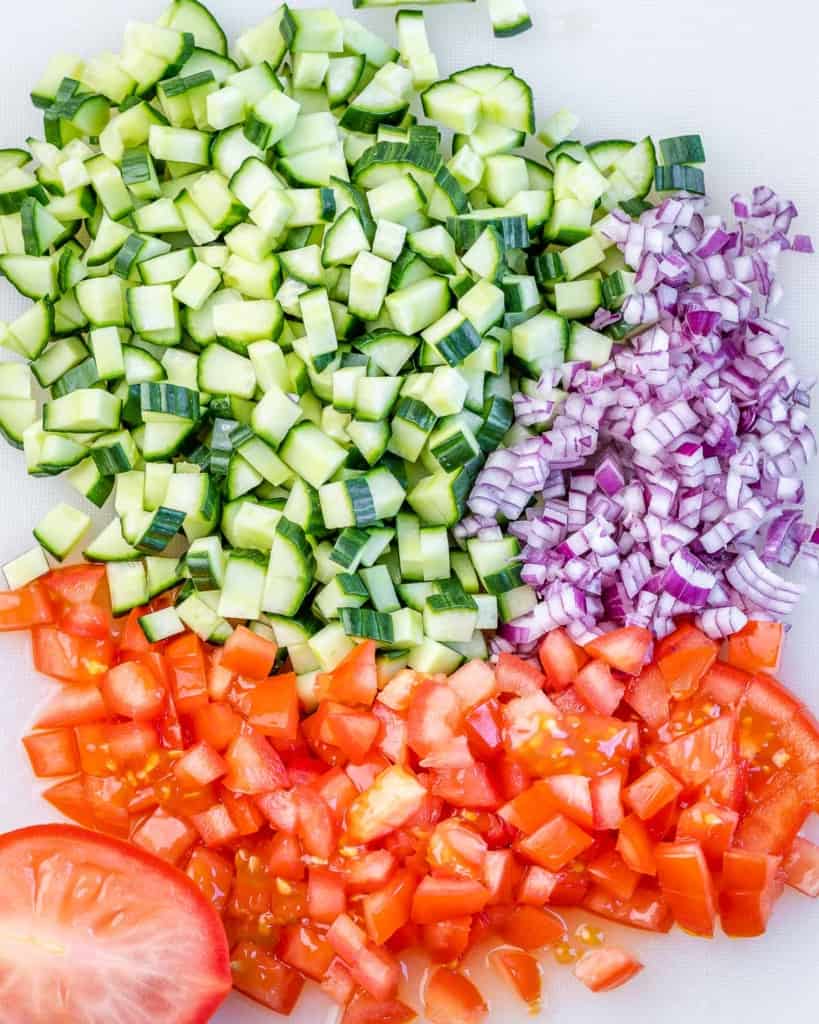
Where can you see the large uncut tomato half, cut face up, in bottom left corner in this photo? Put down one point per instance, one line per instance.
(162, 944)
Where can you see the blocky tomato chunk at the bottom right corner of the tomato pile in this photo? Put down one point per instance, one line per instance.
(749, 889)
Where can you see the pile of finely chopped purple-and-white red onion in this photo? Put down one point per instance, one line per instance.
(671, 483)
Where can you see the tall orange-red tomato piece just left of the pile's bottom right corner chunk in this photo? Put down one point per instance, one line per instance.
(687, 886)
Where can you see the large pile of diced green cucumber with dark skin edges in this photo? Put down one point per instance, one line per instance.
(285, 330)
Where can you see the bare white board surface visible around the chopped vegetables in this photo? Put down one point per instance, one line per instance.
(742, 72)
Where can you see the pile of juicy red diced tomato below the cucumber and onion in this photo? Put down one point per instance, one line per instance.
(649, 785)
